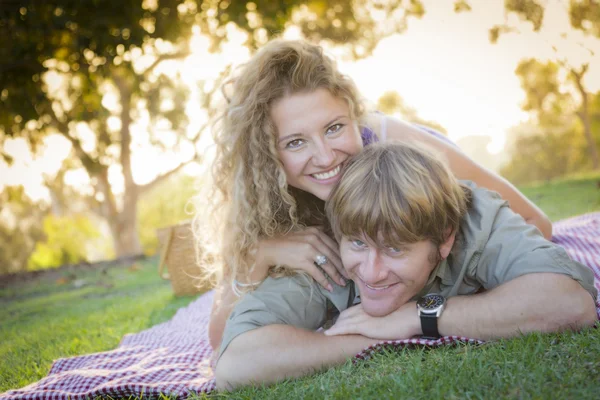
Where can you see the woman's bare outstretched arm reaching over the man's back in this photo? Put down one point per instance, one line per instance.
(465, 168)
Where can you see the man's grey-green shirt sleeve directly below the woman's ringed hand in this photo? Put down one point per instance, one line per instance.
(294, 300)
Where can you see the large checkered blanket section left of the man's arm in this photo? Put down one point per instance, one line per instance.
(172, 358)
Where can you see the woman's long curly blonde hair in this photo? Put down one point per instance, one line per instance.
(252, 198)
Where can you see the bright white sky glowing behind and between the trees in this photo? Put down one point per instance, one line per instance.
(443, 66)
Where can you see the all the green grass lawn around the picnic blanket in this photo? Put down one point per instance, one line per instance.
(90, 310)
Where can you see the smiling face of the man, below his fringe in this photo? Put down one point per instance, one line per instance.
(387, 278)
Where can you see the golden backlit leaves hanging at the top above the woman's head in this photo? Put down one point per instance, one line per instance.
(356, 25)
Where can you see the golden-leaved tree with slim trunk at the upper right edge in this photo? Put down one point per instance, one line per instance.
(585, 16)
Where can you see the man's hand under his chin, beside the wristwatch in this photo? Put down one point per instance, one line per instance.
(403, 323)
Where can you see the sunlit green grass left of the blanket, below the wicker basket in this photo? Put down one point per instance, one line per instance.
(43, 320)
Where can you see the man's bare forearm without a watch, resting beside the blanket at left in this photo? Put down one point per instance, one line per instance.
(273, 353)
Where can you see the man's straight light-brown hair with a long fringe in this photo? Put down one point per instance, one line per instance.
(396, 194)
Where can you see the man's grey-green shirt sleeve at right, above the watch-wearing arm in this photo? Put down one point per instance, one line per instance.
(516, 248)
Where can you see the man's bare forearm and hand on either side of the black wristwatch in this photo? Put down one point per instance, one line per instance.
(539, 302)
